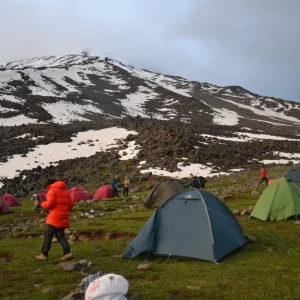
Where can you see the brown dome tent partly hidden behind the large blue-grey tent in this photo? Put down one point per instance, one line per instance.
(162, 192)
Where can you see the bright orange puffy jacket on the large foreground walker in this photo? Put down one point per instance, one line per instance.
(59, 203)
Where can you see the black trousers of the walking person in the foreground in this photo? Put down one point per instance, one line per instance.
(59, 233)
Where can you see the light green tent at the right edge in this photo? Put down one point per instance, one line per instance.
(279, 201)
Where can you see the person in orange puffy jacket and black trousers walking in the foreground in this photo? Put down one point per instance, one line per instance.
(59, 204)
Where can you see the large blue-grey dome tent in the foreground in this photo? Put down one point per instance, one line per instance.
(191, 224)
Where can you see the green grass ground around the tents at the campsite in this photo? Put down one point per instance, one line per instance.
(249, 273)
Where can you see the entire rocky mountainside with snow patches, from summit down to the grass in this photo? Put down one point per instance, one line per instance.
(61, 115)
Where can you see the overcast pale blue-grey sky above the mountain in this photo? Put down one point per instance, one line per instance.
(252, 43)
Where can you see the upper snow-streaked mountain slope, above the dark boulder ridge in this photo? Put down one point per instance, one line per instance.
(61, 89)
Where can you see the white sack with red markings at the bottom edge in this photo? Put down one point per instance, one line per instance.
(107, 287)
